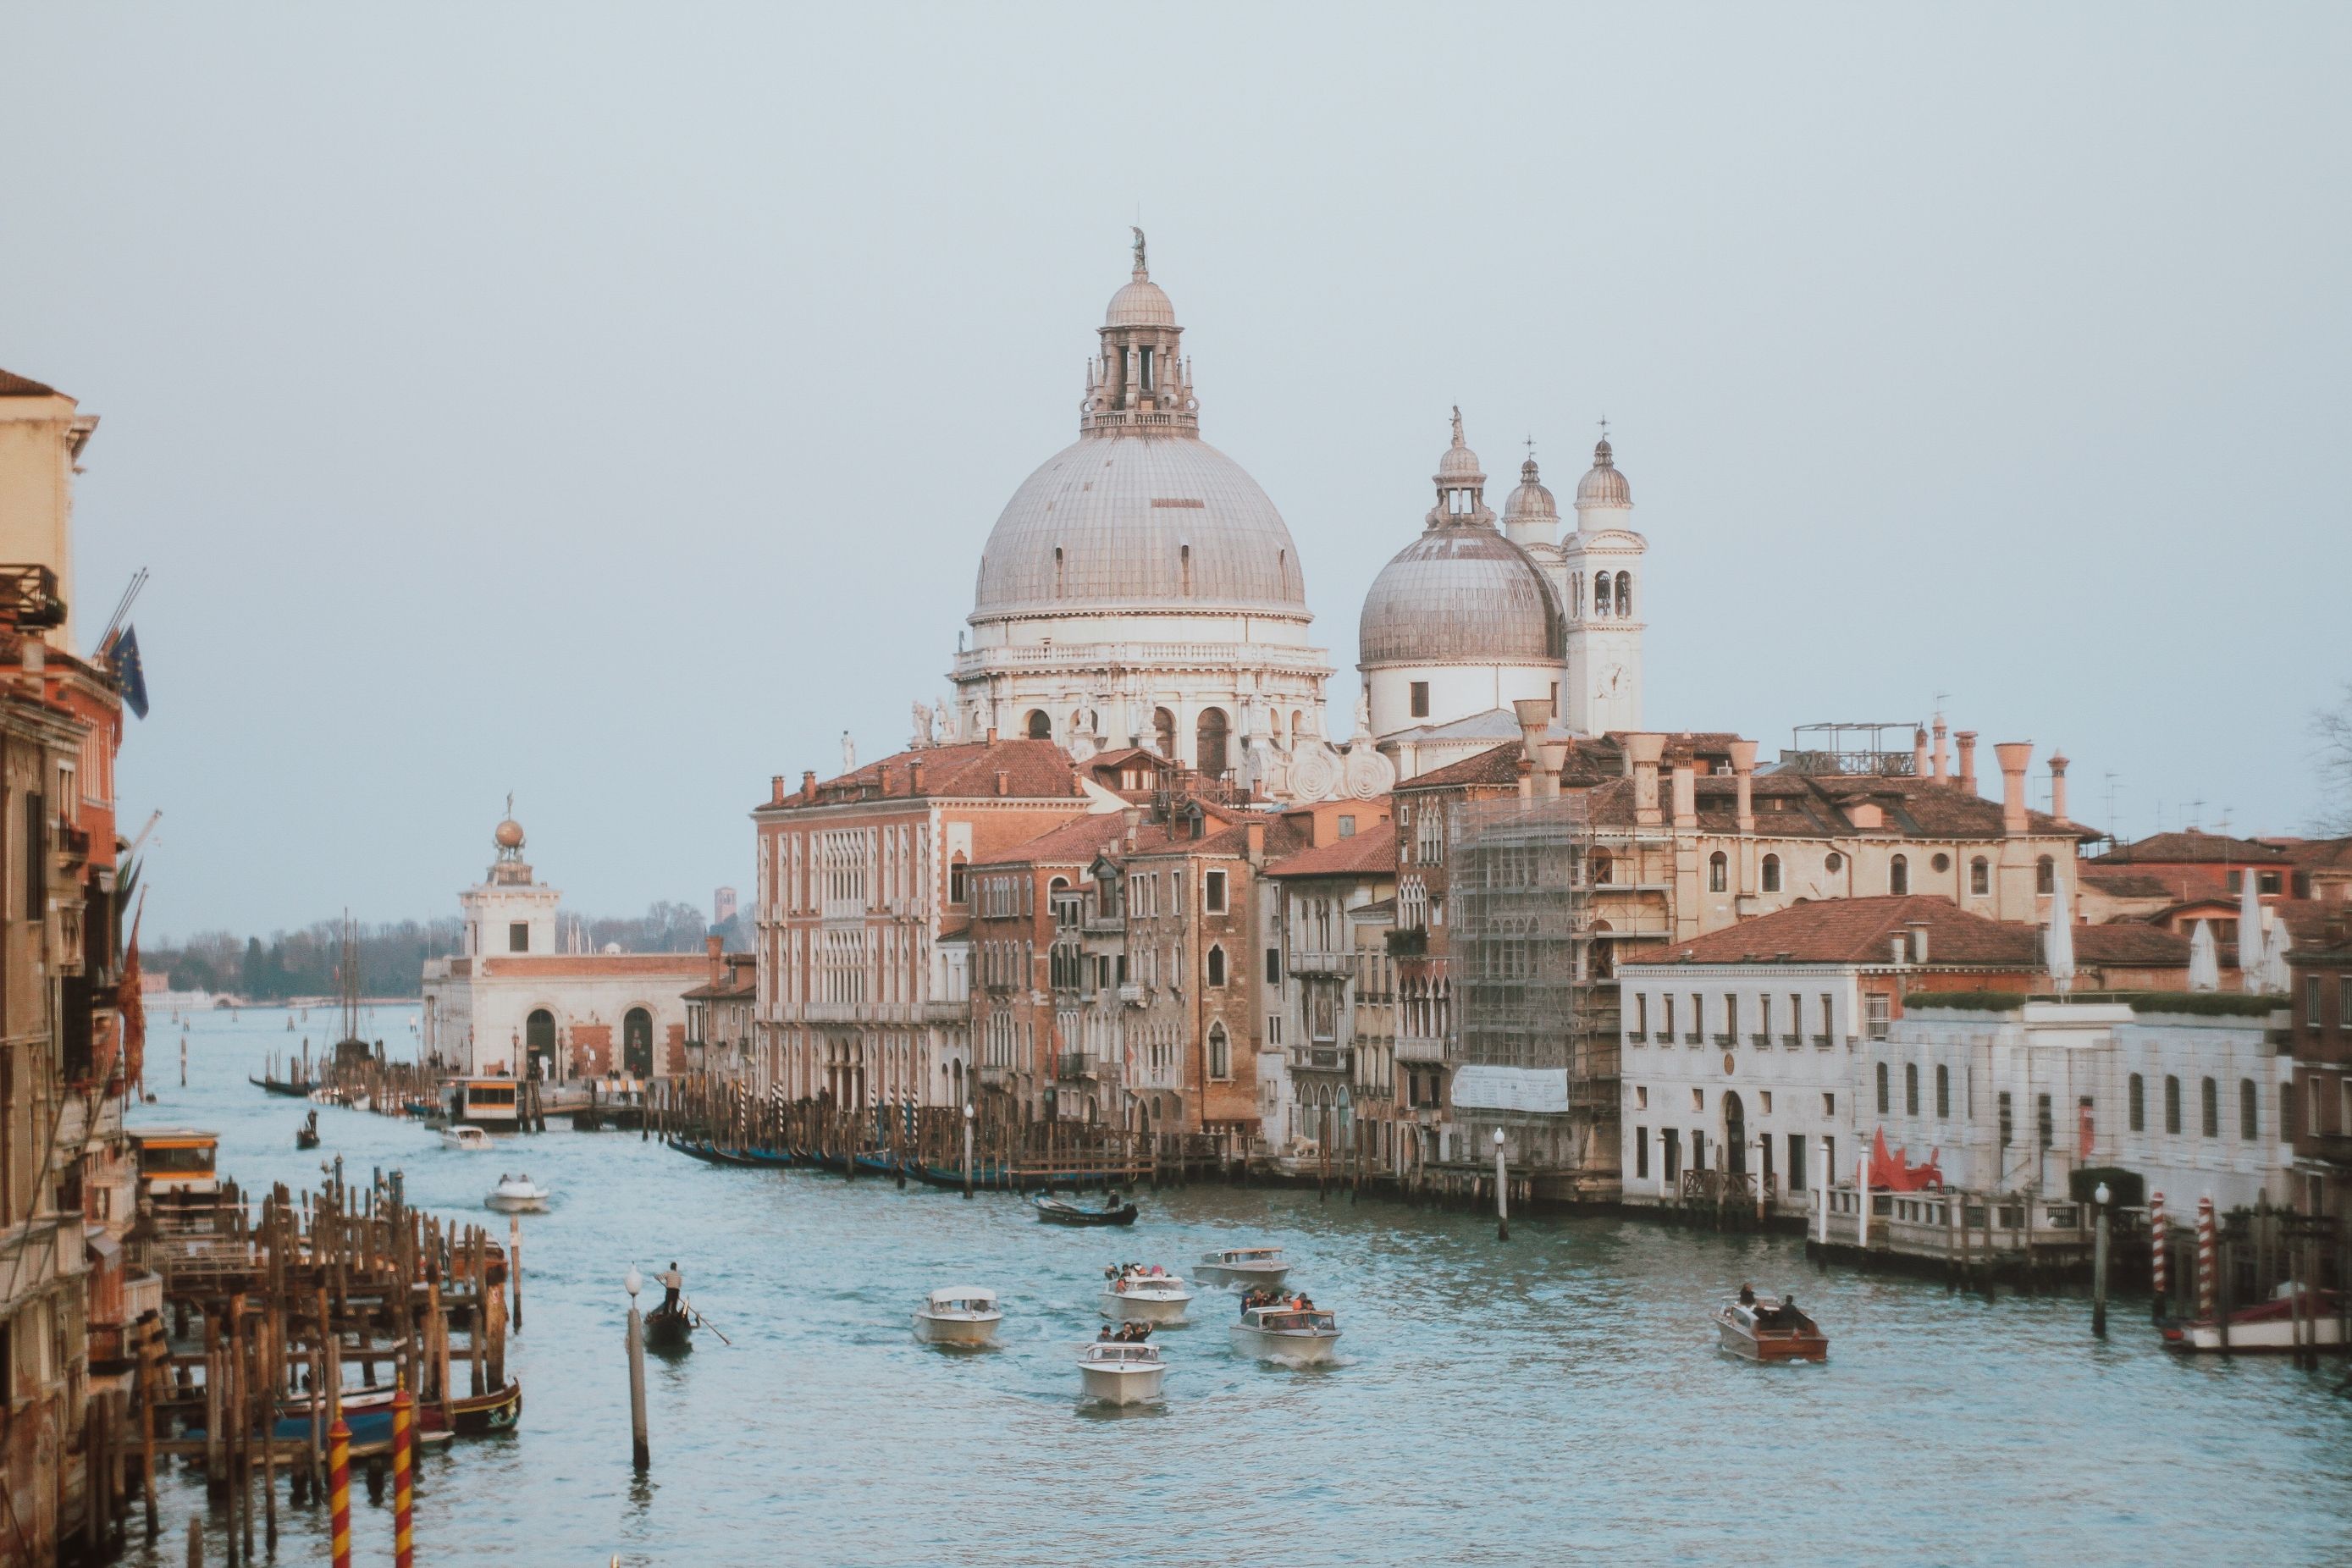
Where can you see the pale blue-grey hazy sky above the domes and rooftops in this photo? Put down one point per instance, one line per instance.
(610, 403)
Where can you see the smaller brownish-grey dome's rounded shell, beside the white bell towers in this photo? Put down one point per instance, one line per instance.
(1462, 596)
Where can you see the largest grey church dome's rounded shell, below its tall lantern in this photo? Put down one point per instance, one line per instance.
(1163, 523)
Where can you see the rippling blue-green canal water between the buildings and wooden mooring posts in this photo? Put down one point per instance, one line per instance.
(1497, 1402)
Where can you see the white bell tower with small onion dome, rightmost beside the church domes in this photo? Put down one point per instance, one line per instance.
(1603, 589)
